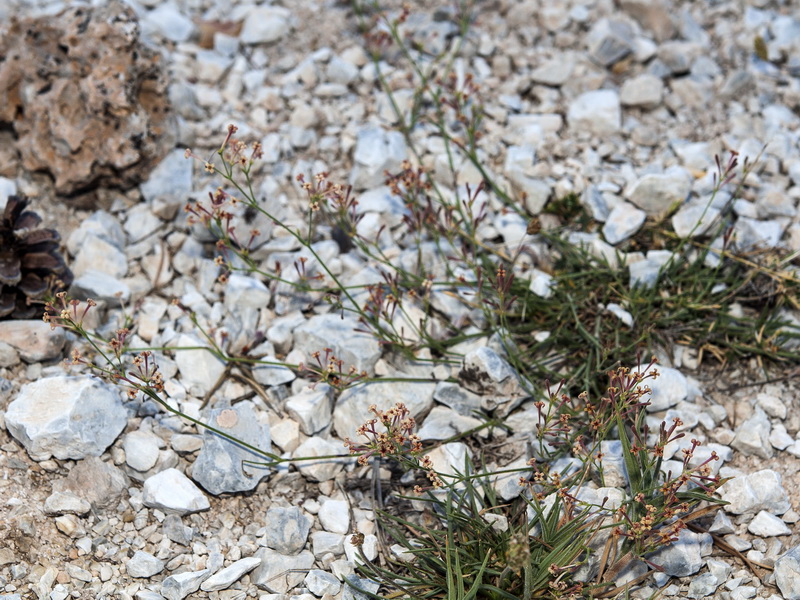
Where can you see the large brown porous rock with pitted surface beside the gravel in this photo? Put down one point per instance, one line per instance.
(85, 99)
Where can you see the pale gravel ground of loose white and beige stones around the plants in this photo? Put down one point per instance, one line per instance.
(619, 102)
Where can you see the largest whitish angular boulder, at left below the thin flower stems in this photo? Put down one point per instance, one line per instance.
(66, 417)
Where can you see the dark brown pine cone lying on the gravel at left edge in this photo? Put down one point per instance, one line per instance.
(30, 264)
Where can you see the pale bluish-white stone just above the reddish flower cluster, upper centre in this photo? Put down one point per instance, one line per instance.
(376, 151)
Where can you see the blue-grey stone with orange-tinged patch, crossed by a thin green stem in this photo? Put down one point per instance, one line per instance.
(224, 466)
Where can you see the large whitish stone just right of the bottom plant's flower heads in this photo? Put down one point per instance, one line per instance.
(757, 491)
